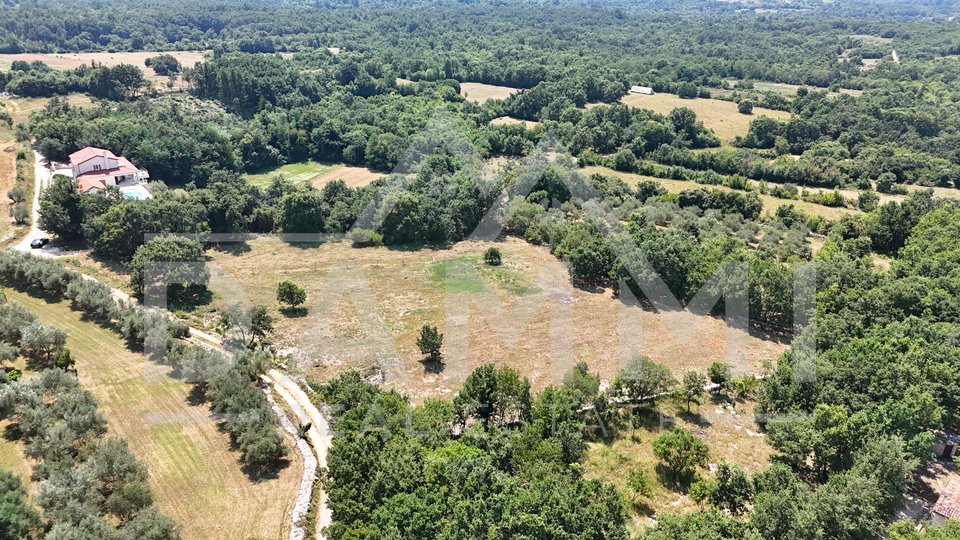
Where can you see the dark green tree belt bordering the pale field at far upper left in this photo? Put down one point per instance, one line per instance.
(36, 79)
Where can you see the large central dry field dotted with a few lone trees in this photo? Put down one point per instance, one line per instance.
(365, 308)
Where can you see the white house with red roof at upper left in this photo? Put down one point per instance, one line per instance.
(95, 169)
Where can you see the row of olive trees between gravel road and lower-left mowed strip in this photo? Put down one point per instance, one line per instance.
(231, 385)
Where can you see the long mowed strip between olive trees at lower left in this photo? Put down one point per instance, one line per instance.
(195, 476)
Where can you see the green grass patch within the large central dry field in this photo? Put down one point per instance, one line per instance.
(469, 274)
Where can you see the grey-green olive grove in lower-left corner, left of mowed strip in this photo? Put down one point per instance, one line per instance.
(90, 486)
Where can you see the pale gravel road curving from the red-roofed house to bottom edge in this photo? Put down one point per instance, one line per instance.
(297, 400)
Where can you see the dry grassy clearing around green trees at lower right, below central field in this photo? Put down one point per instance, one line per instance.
(730, 432)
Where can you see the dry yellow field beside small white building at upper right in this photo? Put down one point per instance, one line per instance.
(720, 116)
